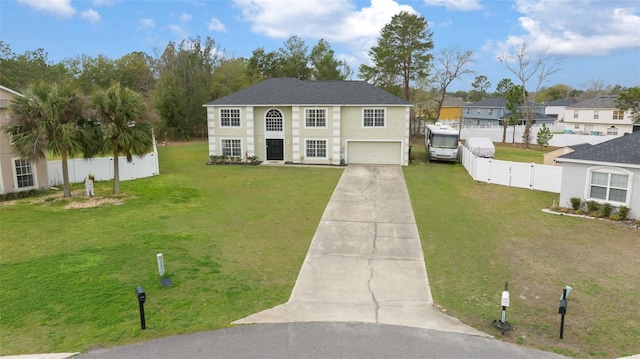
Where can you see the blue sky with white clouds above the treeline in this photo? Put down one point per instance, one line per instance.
(597, 41)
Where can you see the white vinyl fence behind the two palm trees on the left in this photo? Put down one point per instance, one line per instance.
(102, 168)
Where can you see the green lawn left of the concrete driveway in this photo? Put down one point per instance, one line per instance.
(233, 239)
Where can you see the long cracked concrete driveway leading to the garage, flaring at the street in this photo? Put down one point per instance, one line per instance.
(365, 263)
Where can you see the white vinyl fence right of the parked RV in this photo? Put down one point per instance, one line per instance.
(513, 174)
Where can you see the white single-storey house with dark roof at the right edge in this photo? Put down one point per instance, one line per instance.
(608, 172)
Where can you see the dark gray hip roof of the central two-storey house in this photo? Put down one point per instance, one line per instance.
(291, 91)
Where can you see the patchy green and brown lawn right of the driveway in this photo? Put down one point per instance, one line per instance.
(476, 236)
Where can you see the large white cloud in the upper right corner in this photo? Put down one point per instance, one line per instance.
(597, 27)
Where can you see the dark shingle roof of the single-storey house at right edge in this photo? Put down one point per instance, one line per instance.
(625, 149)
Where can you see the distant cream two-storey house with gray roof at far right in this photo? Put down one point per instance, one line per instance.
(597, 116)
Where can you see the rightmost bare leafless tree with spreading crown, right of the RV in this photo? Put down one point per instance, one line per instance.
(530, 65)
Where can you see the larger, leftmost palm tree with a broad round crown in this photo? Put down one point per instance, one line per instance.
(46, 119)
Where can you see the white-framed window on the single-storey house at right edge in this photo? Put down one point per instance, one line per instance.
(611, 186)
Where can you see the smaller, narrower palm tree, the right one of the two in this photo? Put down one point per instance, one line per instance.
(119, 110)
